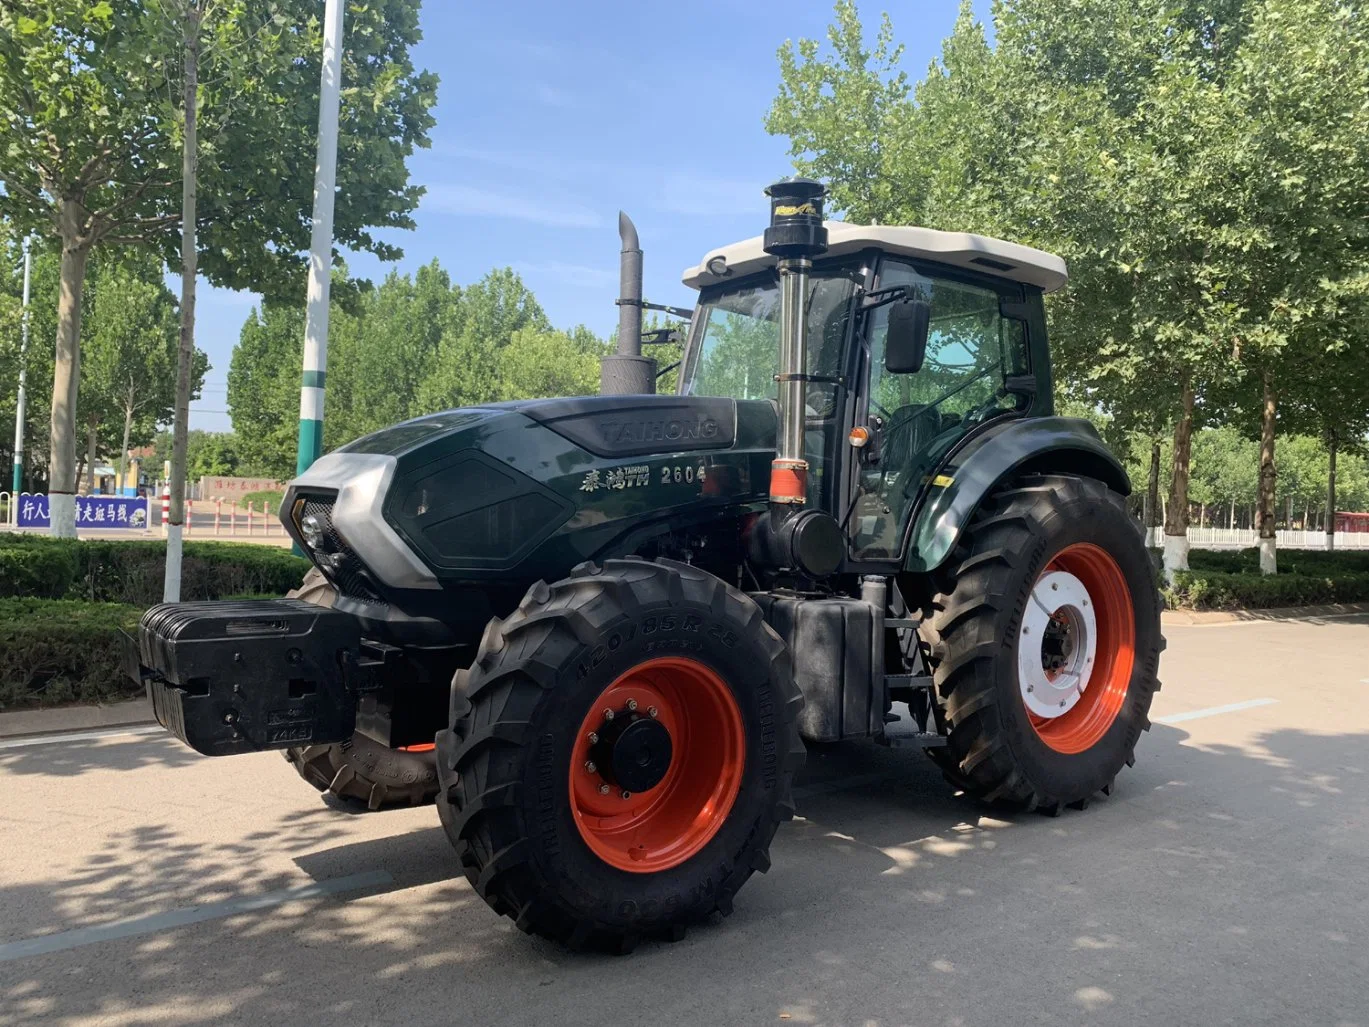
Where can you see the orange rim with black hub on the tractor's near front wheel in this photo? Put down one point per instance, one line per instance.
(665, 825)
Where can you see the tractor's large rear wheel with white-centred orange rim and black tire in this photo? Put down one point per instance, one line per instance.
(1045, 646)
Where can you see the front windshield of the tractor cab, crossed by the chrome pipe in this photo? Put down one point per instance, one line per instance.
(736, 348)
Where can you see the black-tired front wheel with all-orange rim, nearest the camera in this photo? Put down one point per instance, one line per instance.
(621, 754)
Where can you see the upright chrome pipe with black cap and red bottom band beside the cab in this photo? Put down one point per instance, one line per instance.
(796, 236)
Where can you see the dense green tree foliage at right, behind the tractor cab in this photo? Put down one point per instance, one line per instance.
(1200, 166)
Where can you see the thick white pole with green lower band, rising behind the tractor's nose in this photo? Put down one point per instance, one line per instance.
(321, 244)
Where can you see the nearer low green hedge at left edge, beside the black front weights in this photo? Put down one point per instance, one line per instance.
(62, 651)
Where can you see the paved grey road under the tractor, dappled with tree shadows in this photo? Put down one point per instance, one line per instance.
(1226, 881)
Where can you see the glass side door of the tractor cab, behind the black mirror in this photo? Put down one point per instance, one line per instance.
(973, 353)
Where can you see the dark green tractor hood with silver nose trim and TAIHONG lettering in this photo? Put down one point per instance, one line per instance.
(525, 491)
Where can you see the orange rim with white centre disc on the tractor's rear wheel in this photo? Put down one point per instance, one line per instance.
(1077, 648)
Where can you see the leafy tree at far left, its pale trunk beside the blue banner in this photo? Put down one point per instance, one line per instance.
(94, 144)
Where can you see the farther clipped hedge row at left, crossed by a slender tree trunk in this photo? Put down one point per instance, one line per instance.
(133, 572)
